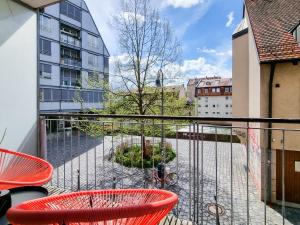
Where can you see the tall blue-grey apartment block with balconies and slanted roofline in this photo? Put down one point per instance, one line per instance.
(72, 57)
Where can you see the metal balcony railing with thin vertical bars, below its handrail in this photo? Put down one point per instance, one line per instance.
(221, 173)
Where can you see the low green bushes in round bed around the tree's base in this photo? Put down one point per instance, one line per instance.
(131, 156)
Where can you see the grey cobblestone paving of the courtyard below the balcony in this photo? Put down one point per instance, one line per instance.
(91, 158)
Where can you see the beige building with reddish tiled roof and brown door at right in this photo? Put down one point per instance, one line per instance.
(266, 84)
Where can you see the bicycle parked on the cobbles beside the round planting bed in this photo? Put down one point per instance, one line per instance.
(170, 179)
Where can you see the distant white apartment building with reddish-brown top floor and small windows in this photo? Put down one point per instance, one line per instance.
(213, 97)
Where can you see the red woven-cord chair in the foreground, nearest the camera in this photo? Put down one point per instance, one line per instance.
(132, 206)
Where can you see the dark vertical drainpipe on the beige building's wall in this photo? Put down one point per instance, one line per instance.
(271, 81)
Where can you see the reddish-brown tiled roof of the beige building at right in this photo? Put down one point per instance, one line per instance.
(272, 22)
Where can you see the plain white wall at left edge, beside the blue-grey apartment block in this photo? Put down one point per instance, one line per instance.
(18, 77)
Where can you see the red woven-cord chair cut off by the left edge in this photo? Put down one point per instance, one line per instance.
(19, 169)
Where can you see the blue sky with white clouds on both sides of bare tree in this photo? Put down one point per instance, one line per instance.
(204, 28)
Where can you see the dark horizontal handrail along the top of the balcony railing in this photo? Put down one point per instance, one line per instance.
(180, 118)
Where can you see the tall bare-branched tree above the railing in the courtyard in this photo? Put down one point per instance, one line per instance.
(148, 45)
